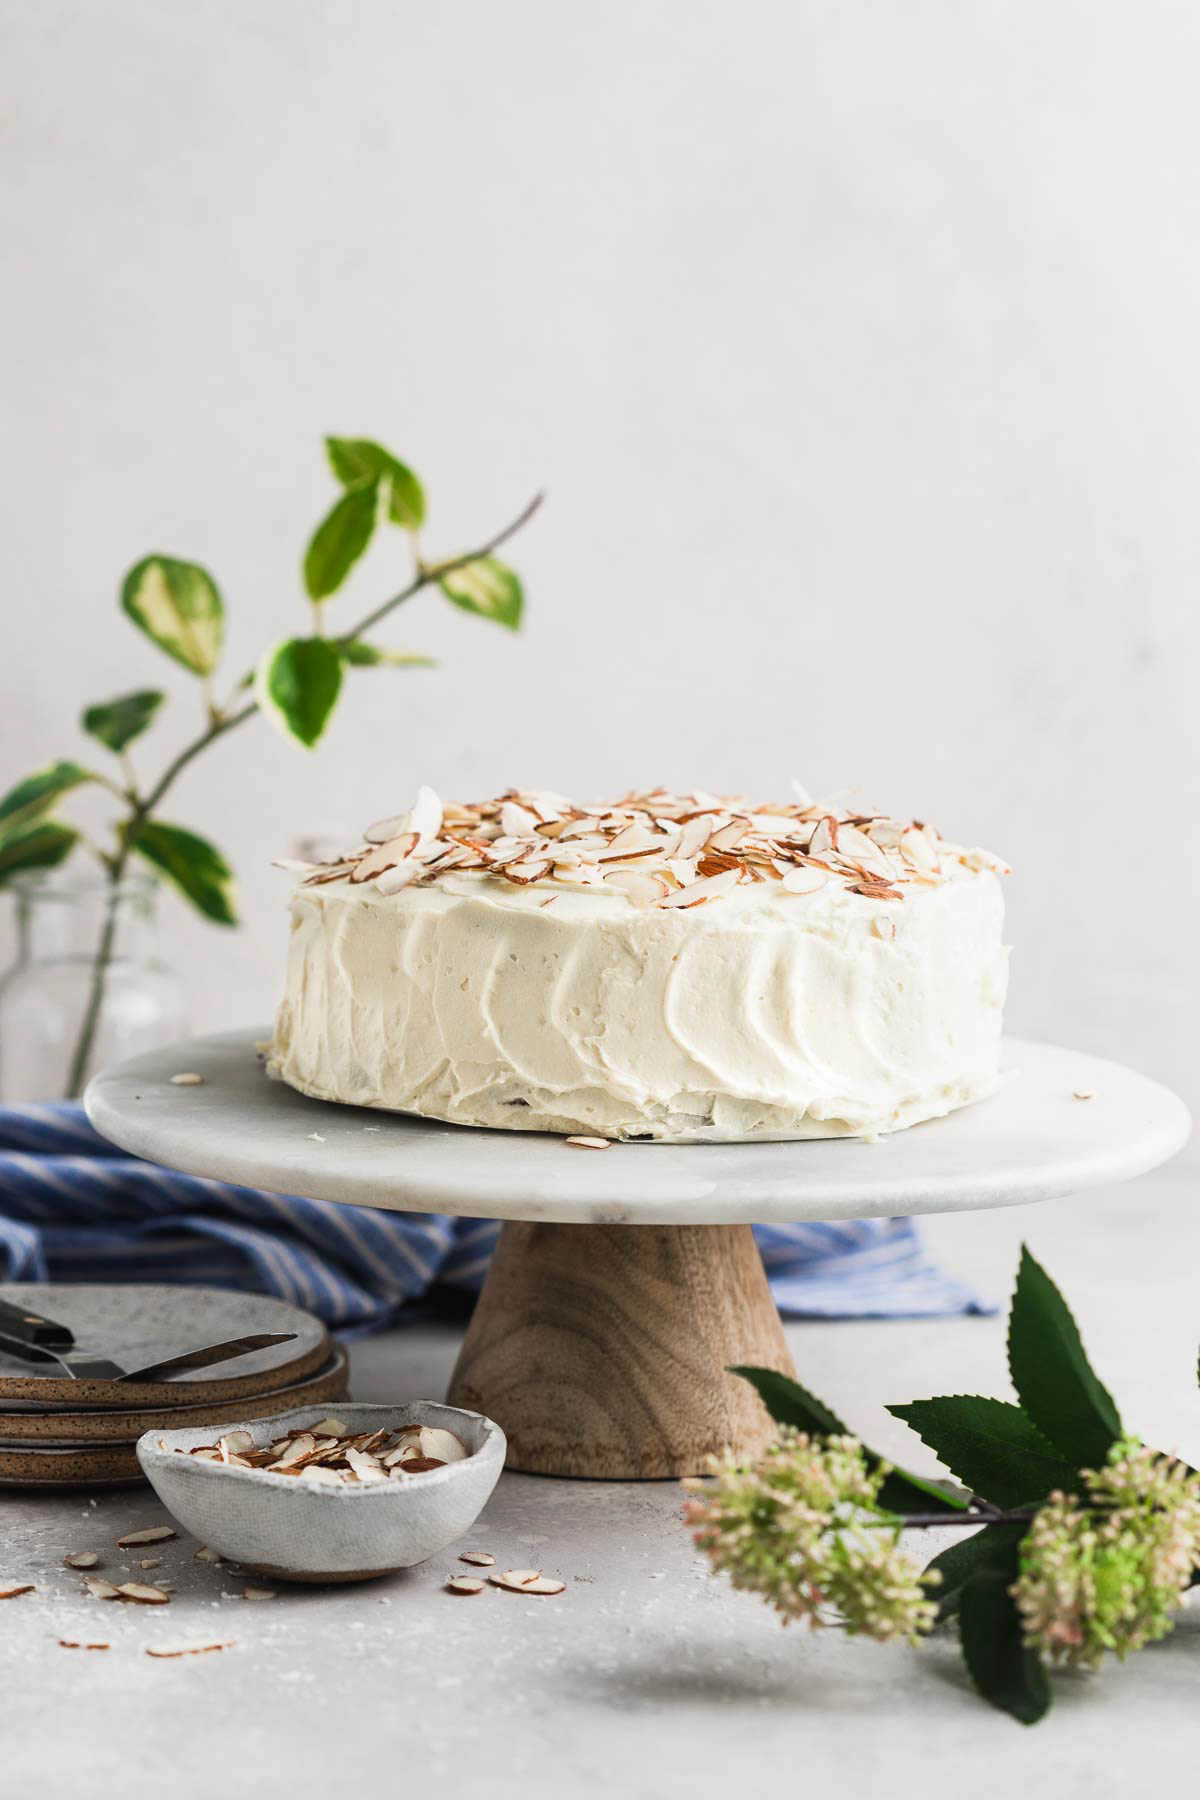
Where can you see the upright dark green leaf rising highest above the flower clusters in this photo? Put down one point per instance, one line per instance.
(1052, 1372)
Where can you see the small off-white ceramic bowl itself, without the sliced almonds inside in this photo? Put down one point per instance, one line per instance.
(296, 1531)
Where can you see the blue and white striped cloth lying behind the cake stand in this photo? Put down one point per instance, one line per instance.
(75, 1209)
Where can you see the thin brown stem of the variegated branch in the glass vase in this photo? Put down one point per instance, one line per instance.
(141, 807)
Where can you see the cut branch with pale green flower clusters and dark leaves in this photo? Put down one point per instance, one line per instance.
(1073, 1556)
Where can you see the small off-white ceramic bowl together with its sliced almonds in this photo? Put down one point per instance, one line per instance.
(301, 1504)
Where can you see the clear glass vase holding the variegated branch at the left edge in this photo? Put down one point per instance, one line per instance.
(87, 989)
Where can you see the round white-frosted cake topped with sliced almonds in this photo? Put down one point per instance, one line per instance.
(823, 993)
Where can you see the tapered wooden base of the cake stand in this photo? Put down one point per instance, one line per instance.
(605, 1349)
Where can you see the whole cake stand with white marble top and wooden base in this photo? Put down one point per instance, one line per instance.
(627, 1281)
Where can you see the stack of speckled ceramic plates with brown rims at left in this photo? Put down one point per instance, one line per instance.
(66, 1432)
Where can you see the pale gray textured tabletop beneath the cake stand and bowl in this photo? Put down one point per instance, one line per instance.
(647, 1678)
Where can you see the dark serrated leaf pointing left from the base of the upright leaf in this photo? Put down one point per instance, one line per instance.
(992, 1446)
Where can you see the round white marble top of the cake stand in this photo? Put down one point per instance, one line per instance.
(1030, 1142)
